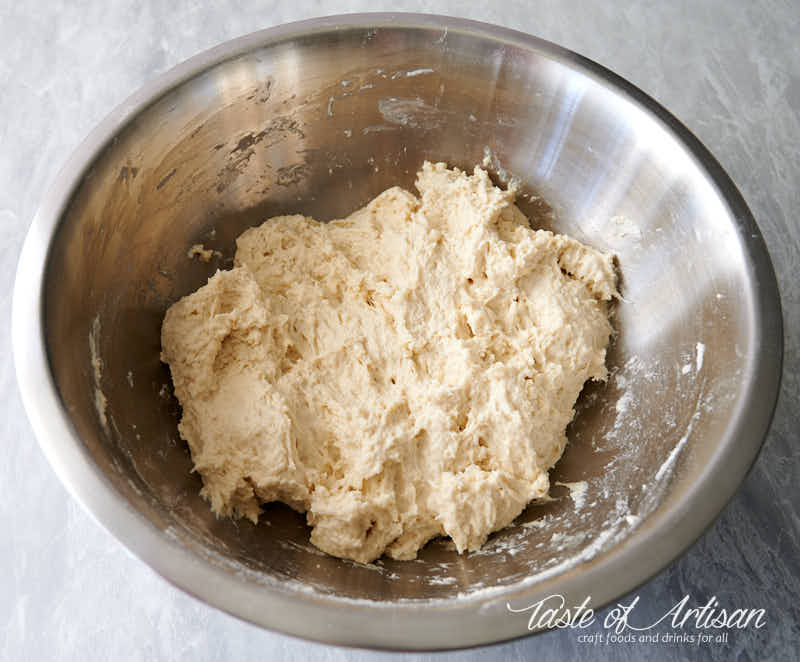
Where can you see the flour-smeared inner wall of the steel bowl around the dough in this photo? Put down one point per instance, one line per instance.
(318, 124)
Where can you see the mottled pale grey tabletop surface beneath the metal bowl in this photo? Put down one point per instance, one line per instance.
(729, 69)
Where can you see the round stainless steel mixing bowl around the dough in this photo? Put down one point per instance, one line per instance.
(317, 118)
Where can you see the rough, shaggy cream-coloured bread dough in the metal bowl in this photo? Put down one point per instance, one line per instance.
(400, 374)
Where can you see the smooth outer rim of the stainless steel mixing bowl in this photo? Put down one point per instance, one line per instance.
(458, 623)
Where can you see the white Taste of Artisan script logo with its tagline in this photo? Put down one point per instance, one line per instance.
(708, 623)
